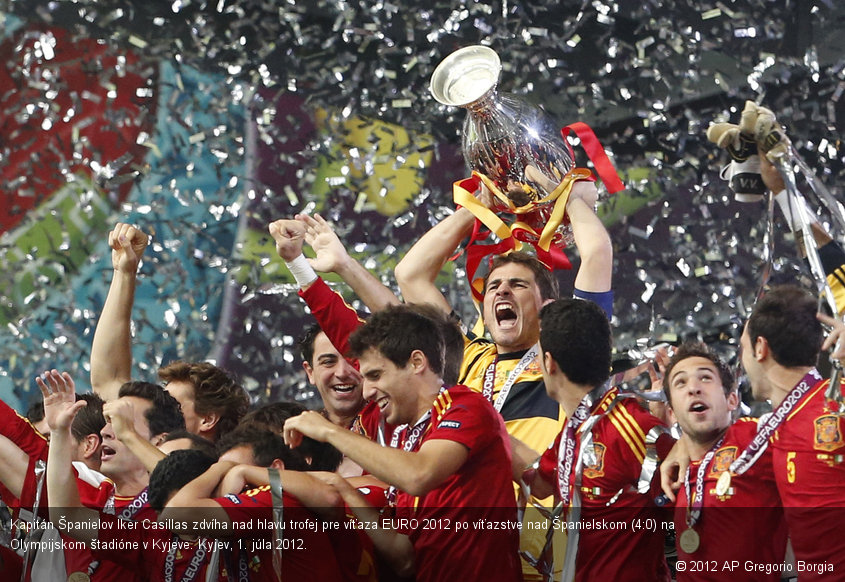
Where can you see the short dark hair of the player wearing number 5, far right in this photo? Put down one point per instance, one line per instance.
(786, 317)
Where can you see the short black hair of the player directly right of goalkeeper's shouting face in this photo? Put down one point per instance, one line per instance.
(577, 335)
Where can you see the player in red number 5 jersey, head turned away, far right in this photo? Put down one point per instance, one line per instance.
(781, 343)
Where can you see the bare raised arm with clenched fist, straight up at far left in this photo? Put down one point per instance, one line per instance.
(111, 351)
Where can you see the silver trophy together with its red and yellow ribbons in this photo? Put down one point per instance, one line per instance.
(518, 155)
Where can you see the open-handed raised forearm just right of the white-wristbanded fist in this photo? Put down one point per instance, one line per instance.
(331, 257)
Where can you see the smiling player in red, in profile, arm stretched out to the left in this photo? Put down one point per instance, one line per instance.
(453, 453)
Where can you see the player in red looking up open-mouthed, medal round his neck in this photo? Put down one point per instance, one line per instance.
(721, 520)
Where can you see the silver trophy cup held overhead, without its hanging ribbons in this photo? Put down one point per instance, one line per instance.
(516, 147)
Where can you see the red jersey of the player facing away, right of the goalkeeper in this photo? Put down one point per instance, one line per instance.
(622, 532)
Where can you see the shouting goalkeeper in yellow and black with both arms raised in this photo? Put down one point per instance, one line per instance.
(505, 370)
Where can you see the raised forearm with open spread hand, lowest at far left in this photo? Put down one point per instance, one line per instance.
(60, 408)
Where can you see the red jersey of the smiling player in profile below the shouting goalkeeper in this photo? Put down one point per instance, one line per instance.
(464, 529)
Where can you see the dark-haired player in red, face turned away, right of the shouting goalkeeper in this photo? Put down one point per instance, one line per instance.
(601, 463)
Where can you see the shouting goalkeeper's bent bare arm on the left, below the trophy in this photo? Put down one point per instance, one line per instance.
(417, 272)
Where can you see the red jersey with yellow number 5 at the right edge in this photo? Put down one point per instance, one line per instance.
(808, 455)
